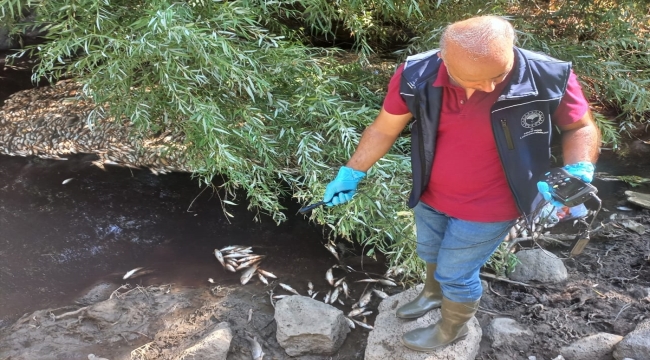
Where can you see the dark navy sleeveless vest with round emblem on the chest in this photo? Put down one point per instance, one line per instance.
(521, 119)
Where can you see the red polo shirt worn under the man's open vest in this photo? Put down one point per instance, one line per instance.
(467, 179)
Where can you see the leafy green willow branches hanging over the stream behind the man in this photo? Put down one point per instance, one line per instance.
(276, 117)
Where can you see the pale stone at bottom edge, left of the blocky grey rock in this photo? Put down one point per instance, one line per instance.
(214, 345)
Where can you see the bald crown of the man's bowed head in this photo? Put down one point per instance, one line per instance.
(479, 38)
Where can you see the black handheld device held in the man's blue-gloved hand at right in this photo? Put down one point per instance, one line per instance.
(568, 189)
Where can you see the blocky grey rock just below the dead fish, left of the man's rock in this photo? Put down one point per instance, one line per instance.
(308, 326)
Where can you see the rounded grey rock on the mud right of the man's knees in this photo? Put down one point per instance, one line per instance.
(539, 265)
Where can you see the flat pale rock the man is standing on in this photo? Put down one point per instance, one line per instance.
(384, 341)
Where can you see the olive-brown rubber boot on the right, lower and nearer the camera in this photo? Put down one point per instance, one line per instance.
(451, 327)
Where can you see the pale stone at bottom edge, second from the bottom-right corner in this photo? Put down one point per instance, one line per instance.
(595, 347)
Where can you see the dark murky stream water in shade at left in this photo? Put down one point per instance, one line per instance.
(56, 240)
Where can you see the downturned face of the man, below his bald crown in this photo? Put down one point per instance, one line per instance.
(483, 74)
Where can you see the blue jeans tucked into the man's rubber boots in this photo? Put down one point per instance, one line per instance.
(459, 248)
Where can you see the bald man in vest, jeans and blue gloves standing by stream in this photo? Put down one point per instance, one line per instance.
(483, 113)
